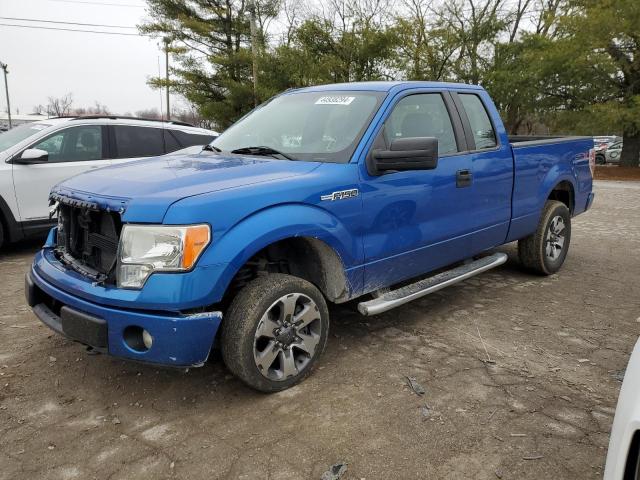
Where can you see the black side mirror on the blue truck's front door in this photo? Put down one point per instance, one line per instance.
(414, 153)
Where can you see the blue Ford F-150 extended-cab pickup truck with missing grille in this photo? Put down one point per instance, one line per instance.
(383, 191)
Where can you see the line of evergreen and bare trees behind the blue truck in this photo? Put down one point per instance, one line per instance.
(551, 66)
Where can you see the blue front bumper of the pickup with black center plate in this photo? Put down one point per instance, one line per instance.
(178, 340)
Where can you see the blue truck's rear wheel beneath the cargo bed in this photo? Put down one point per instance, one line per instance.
(535, 250)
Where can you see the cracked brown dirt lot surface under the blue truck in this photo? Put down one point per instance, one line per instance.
(521, 376)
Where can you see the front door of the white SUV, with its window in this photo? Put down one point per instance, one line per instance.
(72, 150)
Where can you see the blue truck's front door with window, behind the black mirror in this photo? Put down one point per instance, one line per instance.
(418, 220)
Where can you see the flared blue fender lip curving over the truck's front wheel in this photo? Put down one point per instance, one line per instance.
(270, 225)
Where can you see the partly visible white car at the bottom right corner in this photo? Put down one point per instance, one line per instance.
(623, 457)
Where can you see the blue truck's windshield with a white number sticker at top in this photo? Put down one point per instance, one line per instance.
(315, 126)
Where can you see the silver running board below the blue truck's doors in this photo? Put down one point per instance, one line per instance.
(402, 295)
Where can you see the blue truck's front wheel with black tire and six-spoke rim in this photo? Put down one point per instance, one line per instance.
(257, 300)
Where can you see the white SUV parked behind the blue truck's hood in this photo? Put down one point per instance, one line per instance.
(36, 156)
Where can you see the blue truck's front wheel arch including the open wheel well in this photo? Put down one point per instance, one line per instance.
(313, 243)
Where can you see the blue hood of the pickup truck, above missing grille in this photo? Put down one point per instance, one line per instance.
(145, 189)
